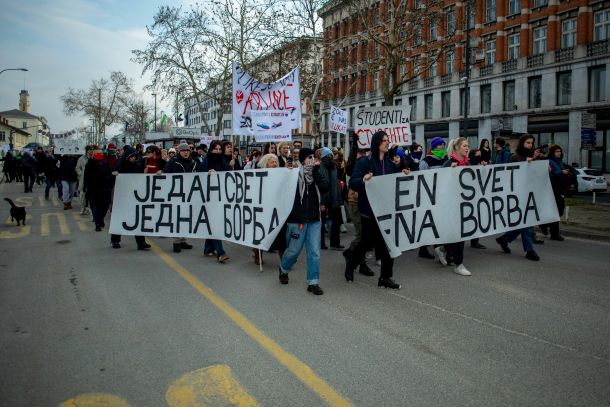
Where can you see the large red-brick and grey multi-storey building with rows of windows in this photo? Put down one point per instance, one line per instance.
(537, 66)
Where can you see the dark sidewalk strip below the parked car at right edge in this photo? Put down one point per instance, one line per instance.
(586, 220)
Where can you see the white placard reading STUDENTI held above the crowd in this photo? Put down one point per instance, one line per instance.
(394, 120)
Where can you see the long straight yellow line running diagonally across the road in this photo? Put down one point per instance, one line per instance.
(303, 372)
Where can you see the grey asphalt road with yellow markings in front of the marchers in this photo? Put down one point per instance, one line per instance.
(80, 319)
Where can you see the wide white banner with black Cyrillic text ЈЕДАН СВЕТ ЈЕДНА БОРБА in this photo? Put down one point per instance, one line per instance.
(245, 207)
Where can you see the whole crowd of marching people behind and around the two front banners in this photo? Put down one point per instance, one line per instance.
(330, 192)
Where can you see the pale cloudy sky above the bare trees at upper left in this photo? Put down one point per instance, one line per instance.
(68, 43)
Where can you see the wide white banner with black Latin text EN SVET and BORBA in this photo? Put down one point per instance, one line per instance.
(455, 204)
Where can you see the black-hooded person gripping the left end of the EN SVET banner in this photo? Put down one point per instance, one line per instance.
(375, 165)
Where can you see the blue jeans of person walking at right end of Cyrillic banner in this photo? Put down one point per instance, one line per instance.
(297, 236)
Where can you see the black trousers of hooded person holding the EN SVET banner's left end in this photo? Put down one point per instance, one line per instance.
(371, 239)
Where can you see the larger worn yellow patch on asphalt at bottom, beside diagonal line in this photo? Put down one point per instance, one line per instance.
(212, 386)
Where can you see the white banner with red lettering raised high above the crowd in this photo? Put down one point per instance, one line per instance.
(250, 95)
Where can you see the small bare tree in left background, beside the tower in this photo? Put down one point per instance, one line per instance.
(104, 101)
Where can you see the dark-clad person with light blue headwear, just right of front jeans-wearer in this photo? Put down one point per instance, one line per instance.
(331, 200)
